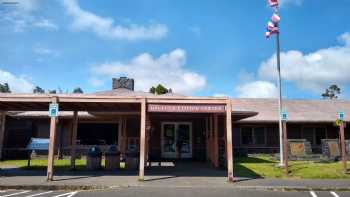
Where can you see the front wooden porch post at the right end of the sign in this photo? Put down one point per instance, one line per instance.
(229, 141)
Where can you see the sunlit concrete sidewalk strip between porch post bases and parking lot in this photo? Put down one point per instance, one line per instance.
(102, 180)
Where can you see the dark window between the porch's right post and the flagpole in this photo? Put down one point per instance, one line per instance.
(253, 135)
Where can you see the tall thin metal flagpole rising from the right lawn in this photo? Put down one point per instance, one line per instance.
(278, 51)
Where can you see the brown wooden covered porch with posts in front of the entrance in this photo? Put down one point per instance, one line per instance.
(208, 122)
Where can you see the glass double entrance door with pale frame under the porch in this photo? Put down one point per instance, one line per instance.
(176, 140)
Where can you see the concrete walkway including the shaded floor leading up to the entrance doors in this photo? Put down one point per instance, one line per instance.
(185, 175)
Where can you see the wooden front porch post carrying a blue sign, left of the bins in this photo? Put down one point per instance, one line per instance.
(50, 161)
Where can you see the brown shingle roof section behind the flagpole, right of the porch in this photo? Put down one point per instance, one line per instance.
(298, 110)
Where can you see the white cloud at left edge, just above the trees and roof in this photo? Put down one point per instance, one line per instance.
(17, 84)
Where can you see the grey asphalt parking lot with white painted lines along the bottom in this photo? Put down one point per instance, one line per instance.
(172, 192)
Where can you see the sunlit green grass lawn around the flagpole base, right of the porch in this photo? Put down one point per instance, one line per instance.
(263, 166)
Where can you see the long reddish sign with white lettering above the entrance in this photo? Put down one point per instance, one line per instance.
(187, 108)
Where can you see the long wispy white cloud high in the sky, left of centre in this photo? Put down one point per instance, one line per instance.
(105, 27)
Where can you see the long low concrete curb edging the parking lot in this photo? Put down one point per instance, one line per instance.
(101, 187)
